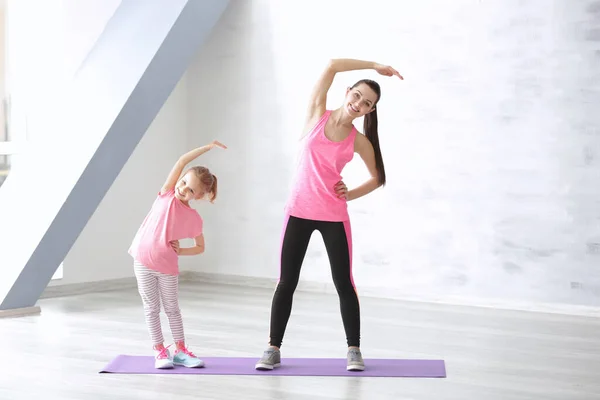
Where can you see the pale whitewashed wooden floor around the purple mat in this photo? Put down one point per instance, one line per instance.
(489, 353)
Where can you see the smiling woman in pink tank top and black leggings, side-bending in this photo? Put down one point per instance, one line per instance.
(319, 198)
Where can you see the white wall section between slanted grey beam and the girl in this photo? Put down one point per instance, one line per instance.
(100, 252)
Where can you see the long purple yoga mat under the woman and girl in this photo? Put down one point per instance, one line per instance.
(125, 364)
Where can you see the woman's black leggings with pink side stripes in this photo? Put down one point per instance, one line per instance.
(338, 242)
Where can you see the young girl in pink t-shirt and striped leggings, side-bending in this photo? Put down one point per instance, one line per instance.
(155, 250)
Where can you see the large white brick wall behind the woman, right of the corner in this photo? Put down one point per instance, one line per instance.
(489, 196)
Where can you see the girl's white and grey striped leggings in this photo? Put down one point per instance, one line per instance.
(153, 287)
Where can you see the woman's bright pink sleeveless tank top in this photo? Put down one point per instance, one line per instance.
(319, 169)
